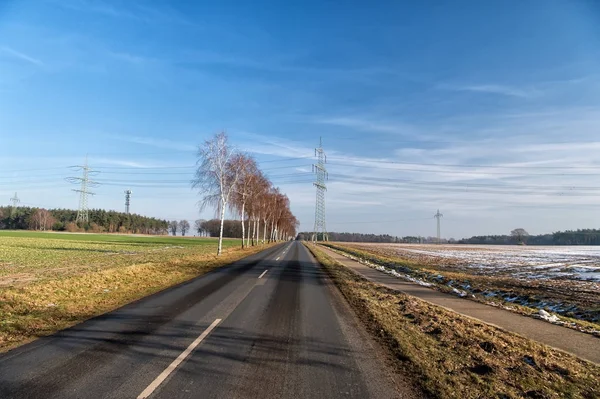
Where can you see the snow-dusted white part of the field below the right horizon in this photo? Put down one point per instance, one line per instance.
(549, 262)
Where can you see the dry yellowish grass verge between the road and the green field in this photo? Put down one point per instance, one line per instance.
(49, 305)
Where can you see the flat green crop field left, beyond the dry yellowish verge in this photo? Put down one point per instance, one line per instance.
(27, 256)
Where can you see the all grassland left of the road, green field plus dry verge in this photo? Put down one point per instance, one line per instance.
(49, 281)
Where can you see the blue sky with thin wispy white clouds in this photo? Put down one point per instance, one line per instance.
(489, 111)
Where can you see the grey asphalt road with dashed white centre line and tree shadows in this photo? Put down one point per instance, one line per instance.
(269, 326)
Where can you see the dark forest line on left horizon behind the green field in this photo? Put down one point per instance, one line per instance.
(100, 221)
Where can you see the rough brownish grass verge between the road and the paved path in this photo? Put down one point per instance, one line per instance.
(452, 356)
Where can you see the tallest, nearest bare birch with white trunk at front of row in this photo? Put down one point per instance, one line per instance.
(216, 176)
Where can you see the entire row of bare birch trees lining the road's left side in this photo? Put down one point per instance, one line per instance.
(229, 179)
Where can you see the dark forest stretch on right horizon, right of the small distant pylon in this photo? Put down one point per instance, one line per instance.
(568, 237)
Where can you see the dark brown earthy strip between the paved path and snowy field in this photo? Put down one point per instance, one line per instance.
(526, 298)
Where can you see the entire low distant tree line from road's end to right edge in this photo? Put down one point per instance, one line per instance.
(568, 237)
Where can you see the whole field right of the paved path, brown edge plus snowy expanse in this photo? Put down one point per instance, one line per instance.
(562, 281)
